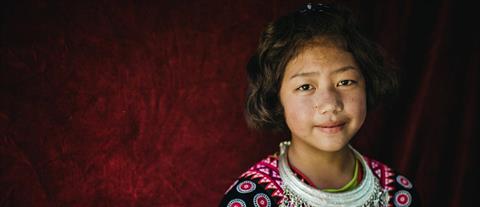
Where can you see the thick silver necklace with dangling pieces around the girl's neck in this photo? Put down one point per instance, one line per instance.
(298, 194)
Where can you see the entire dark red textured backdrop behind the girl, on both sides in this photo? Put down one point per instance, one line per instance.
(124, 103)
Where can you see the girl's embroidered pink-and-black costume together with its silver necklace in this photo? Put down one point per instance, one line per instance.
(273, 182)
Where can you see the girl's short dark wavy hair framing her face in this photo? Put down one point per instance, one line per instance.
(286, 37)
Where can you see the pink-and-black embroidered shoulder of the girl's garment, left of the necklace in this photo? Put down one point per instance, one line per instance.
(258, 186)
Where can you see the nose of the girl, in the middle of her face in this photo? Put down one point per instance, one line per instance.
(328, 100)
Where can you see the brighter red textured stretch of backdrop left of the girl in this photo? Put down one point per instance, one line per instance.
(127, 104)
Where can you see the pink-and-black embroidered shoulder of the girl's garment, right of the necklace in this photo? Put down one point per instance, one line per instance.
(401, 190)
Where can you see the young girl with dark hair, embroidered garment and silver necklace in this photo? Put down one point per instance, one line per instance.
(314, 76)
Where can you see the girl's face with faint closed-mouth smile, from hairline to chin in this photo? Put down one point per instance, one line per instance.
(324, 99)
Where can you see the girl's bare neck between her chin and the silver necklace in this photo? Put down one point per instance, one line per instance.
(326, 169)
